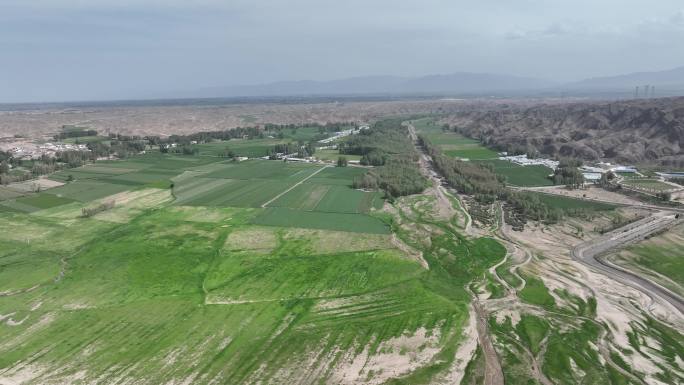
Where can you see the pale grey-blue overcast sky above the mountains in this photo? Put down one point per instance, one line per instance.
(53, 50)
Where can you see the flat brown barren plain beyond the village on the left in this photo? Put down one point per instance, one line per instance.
(164, 120)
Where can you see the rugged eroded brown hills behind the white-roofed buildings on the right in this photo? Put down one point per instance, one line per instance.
(636, 131)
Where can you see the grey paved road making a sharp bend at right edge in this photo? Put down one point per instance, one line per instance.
(589, 254)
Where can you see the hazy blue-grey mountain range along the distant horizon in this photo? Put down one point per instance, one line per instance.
(670, 82)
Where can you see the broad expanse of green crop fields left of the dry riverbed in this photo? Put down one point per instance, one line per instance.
(193, 280)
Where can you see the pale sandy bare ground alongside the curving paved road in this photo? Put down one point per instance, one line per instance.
(619, 307)
